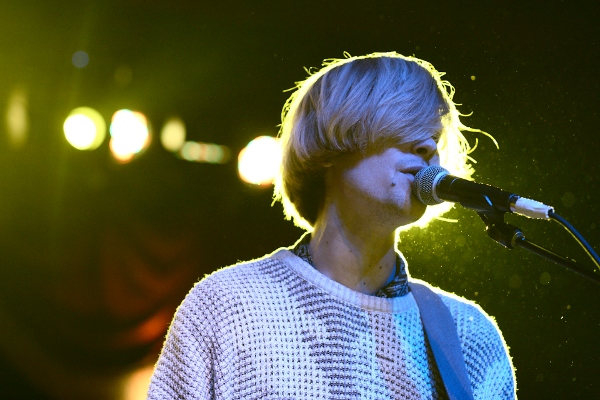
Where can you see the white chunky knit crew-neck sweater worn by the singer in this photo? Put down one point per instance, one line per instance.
(276, 328)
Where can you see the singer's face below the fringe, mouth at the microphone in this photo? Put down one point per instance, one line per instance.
(377, 186)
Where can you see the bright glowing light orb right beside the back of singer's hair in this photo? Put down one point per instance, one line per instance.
(259, 161)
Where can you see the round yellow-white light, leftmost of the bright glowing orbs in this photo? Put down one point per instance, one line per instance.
(85, 128)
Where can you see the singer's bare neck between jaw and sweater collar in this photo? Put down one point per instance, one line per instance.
(359, 258)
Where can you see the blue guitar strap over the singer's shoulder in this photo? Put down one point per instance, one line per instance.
(443, 338)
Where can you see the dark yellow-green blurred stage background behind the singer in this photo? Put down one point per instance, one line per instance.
(95, 256)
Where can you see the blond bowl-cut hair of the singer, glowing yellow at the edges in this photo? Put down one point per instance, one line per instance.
(359, 103)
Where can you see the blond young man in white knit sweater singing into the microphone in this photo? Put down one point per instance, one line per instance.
(333, 316)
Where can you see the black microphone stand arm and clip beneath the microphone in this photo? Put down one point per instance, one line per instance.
(511, 236)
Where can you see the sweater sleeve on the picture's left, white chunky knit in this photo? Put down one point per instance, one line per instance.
(185, 367)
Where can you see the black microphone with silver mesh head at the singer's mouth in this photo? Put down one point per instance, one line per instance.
(434, 185)
